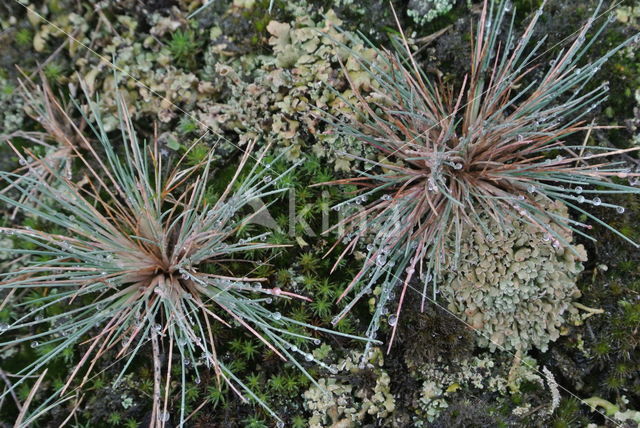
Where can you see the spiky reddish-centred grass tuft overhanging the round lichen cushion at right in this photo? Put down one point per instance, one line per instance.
(451, 153)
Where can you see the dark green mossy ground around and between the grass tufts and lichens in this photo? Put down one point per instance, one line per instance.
(600, 357)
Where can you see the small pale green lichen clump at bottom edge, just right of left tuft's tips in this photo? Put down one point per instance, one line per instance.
(336, 402)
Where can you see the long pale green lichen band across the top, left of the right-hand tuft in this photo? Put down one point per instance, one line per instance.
(273, 98)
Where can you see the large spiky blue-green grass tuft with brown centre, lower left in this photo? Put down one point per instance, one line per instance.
(131, 268)
